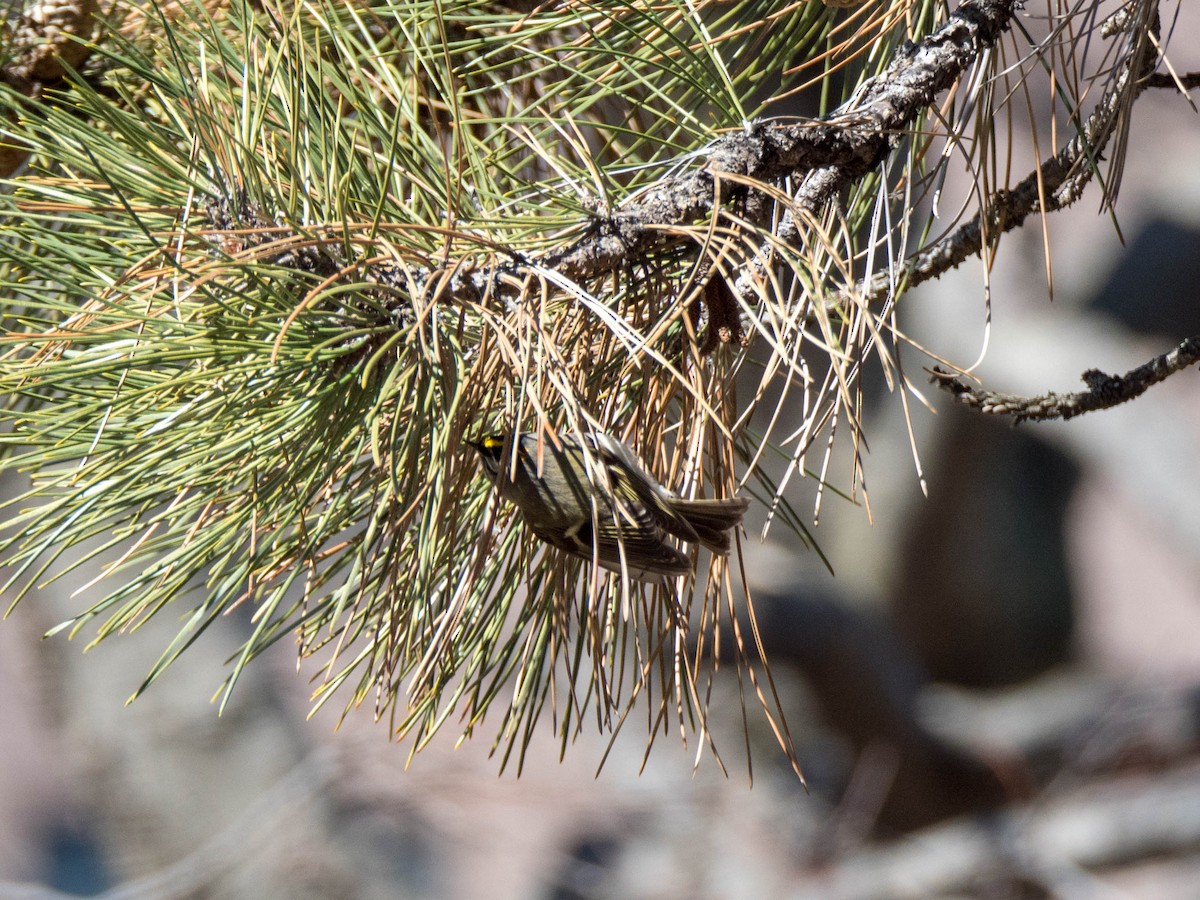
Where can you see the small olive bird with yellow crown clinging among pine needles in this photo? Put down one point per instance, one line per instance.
(620, 515)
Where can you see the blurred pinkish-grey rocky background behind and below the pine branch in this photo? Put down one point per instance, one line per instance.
(998, 694)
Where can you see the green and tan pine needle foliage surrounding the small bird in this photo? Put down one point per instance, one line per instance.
(271, 266)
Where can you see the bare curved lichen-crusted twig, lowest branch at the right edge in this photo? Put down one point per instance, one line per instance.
(1103, 391)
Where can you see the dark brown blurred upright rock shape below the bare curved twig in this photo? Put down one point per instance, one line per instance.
(985, 593)
